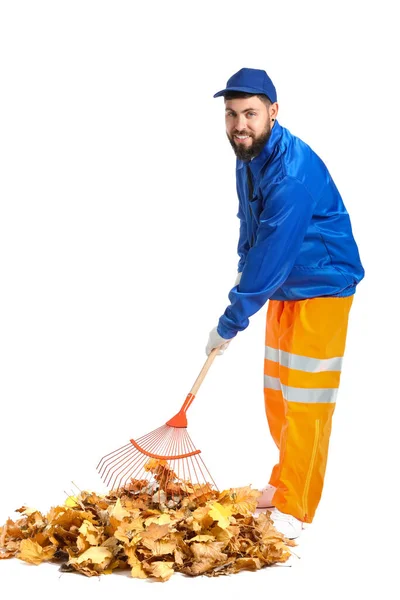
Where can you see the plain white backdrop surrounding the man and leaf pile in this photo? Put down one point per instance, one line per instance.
(118, 236)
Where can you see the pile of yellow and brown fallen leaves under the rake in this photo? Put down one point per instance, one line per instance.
(199, 531)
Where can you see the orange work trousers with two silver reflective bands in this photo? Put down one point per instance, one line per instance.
(304, 348)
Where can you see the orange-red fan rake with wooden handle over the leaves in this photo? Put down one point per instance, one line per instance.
(165, 458)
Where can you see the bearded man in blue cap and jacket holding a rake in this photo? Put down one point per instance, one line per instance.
(296, 250)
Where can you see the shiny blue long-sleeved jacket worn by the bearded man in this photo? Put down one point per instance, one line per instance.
(295, 238)
